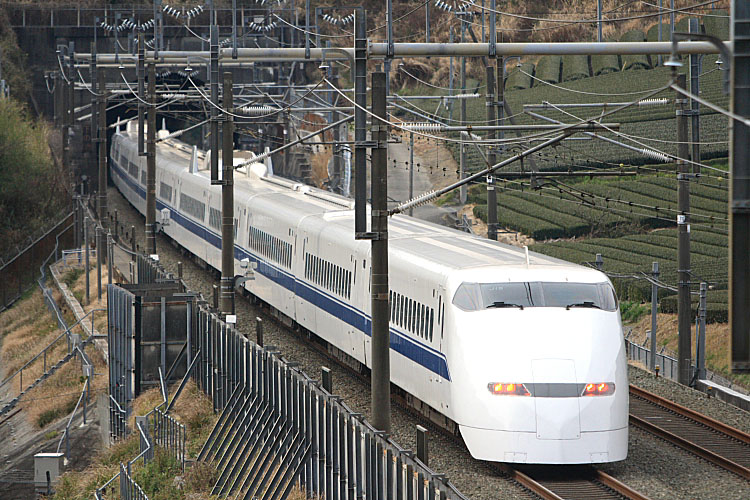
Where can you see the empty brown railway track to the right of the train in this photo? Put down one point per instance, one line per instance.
(705, 437)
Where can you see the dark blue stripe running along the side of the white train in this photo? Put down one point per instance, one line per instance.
(431, 359)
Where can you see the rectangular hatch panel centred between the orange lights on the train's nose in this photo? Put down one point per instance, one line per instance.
(557, 415)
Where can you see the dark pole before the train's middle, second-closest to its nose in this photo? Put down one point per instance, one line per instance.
(227, 201)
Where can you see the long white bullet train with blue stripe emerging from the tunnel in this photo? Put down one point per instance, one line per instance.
(521, 353)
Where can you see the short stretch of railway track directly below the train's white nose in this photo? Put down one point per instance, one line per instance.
(572, 483)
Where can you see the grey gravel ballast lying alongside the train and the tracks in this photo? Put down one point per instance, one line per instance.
(654, 467)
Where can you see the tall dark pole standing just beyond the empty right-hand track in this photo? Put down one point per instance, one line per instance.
(684, 353)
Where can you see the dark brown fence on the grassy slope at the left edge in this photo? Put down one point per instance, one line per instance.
(19, 273)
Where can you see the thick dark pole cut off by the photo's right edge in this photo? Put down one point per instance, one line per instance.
(739, 190)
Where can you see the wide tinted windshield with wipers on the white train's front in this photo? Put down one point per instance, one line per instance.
(478, 296)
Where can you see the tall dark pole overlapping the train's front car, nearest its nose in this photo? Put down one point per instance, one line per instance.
(381, 360)
